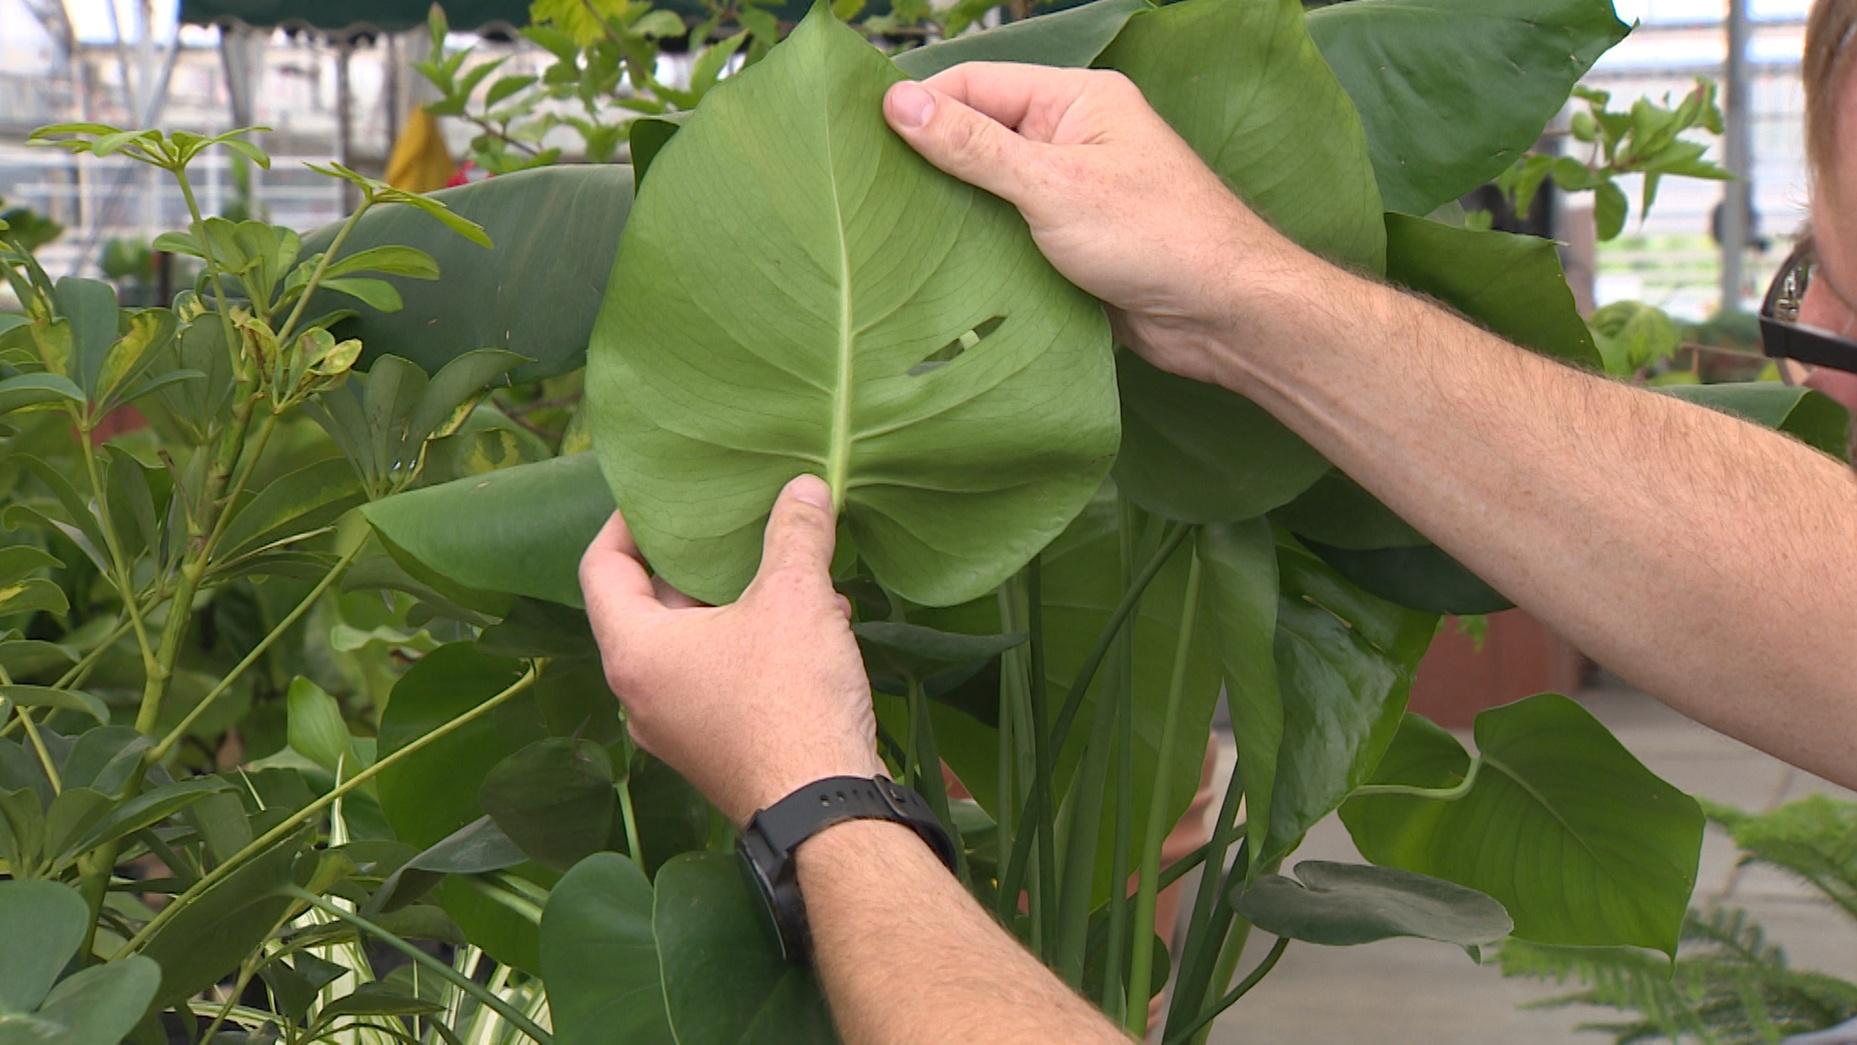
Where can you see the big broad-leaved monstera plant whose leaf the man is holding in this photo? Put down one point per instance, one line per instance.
(1069, 690)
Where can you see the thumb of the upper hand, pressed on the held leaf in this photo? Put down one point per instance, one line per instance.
(959, 140)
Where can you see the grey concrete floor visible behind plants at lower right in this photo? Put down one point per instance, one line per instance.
(1431, 994)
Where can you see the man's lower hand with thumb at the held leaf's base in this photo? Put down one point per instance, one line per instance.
(749, 701)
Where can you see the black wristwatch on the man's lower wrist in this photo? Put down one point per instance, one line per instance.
(773, 834)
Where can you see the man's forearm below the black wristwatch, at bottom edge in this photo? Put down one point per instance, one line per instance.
(905, 955)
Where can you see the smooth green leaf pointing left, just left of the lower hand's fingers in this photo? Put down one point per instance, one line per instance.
(530, 526)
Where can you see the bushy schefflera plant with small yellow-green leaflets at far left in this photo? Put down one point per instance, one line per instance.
(135, 543)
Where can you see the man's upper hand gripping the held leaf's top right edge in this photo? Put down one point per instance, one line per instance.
(1115, 200)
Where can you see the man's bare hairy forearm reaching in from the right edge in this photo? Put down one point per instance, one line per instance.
(1702, 558)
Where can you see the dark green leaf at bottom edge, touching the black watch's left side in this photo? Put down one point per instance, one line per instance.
(725, 981)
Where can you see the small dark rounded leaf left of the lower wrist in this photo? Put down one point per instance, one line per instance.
(554, 799)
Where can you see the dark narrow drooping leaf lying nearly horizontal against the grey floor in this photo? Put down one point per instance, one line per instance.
(1342, 905)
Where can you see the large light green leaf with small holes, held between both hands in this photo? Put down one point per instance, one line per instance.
(786, 300)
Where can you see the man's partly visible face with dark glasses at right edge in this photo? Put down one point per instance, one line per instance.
(1832, 298)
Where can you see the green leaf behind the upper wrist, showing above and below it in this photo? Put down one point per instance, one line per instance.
(1271, 120)
